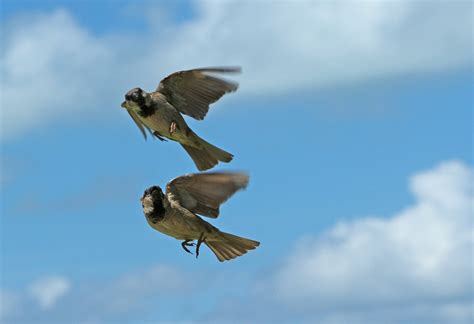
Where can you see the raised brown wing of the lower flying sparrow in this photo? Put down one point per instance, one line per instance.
(203, 193)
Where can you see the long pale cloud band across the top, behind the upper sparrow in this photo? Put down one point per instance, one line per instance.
(55, 69)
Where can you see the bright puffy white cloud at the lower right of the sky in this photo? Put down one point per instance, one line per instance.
(417, 263)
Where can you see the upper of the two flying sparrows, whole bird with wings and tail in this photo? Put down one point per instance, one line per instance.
(185, 92)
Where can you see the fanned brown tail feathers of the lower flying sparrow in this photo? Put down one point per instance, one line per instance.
(229, 246)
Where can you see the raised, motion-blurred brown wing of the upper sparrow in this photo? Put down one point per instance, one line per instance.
(191, 92)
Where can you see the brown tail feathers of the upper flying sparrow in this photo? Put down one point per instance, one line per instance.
(207, 155)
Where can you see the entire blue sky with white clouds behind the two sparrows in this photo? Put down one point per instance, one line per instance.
(353, 119)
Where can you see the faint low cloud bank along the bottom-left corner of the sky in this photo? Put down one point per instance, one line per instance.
(56, 299)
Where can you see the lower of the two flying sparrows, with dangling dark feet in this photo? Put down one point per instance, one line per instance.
(175, 213)
